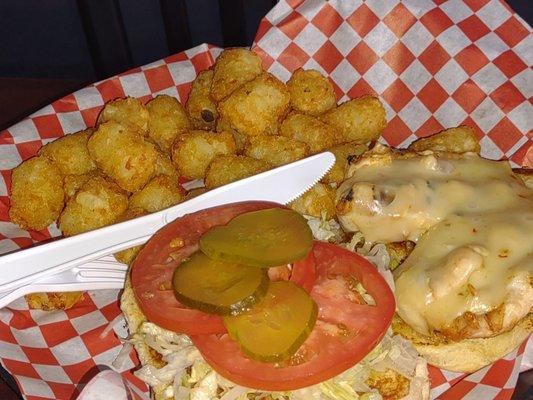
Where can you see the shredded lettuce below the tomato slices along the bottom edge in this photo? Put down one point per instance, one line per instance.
(189, 377)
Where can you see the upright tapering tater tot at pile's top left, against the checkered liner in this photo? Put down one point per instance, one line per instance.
(168, 119)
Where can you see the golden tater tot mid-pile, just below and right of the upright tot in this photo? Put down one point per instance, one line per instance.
(193, 152)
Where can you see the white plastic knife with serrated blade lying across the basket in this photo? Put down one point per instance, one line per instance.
(281, 185)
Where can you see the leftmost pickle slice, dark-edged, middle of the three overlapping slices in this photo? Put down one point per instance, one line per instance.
(218, 287)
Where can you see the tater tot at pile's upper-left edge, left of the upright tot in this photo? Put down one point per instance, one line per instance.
(129, 112)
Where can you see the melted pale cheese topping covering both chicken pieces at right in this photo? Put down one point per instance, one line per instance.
(473, 221)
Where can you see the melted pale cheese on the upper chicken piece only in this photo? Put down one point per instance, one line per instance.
(402, 199)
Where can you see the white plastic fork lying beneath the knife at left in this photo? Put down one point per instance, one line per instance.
(104, 273)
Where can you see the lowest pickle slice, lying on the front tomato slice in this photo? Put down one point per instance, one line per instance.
(275, 328)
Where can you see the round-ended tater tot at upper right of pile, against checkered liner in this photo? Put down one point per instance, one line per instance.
(311, 92)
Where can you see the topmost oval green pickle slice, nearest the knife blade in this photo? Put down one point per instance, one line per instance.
(262, 238)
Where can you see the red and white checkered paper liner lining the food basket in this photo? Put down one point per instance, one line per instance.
(433, 65)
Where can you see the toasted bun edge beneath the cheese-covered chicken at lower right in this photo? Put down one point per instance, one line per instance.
(466, 355)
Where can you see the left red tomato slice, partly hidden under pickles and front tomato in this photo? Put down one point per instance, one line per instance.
(151, 273)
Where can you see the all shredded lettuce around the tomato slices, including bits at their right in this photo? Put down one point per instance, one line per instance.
(189, 377)
